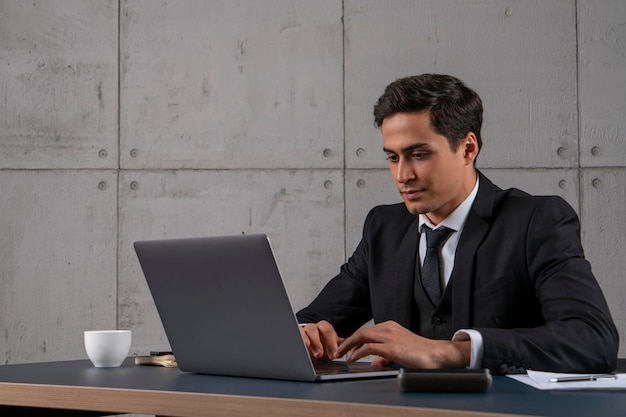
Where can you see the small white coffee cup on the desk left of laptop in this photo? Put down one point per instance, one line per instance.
(107, 348)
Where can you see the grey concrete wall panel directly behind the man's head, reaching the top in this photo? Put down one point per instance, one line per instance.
(519, 55)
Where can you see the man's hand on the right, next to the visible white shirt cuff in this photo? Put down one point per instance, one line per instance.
(396, 344)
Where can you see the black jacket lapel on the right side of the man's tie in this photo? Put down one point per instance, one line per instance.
(476, 227)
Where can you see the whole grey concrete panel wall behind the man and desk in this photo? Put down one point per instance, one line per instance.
(143, 119)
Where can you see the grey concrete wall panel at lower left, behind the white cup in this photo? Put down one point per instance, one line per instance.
(58, 267)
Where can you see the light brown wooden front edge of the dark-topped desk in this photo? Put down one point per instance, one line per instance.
(187, 404)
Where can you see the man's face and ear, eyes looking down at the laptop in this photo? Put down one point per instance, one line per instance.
(432, 179)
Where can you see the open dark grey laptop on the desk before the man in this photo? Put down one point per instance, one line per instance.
(225, 310)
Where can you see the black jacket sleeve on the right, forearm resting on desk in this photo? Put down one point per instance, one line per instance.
(578, 334)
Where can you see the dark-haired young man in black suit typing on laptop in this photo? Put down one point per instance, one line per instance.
(512, 289)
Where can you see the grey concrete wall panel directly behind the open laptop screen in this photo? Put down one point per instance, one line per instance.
(301, 211)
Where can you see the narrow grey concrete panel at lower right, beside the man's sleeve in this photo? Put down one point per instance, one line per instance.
(604, 236)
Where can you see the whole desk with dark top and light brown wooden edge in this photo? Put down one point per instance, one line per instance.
(43, 389)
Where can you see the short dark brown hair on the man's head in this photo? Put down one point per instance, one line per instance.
(455, 109)
